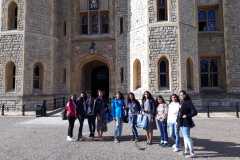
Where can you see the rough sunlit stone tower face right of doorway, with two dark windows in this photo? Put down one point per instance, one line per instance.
(163, 42)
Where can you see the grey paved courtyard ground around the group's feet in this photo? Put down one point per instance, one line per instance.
(32, 138)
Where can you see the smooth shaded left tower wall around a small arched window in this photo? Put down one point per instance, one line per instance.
(39, 44)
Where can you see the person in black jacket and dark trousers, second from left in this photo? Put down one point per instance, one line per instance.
(81, 112)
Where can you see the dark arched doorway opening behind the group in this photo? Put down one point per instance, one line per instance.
(94, 76)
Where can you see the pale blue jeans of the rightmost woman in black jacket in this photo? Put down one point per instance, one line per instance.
(187, 139)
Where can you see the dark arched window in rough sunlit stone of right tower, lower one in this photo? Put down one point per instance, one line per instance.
(163, 73)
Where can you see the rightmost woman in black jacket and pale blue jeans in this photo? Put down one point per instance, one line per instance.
(185, 122)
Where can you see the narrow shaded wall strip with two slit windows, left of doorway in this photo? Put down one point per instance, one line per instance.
(63, 49)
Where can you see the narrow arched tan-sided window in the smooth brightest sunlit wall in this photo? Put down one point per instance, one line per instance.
(136, 74)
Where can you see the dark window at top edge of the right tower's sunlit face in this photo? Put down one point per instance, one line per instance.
(162, 11)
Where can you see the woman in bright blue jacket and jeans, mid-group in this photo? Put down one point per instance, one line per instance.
(118, 107)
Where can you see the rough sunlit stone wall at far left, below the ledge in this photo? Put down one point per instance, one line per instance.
(11, 50)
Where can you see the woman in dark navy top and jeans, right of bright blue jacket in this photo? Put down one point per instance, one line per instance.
(134, 108)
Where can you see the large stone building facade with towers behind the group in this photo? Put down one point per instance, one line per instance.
(50, 48)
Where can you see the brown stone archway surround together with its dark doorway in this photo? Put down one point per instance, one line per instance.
(87, 69)
